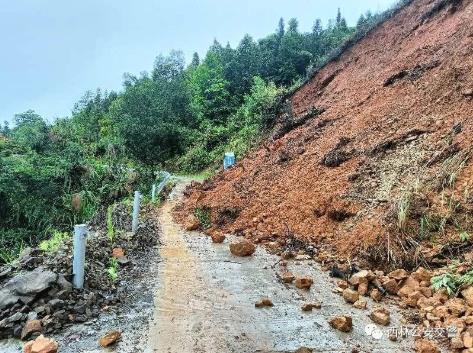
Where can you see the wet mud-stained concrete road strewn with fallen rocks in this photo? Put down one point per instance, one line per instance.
(205, 302)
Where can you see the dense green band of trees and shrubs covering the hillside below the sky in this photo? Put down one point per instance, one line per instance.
(179, 117)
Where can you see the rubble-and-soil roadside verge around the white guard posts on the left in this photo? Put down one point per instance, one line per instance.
(37, 294)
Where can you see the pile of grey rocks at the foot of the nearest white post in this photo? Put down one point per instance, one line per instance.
(42, 301)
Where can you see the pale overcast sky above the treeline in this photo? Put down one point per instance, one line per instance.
(52, 51)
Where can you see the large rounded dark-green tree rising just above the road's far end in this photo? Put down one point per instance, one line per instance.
(152, 115)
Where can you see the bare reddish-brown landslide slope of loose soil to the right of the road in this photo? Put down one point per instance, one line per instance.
(383, 164)
